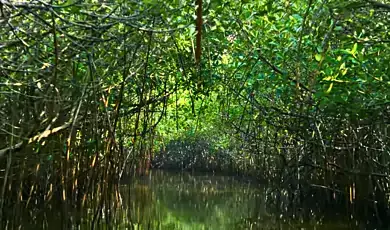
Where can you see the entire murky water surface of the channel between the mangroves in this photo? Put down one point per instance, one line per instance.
(171, 200)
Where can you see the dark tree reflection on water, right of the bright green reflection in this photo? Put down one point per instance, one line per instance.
(278, 208)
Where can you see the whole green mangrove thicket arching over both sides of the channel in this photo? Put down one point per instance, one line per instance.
(298, 88)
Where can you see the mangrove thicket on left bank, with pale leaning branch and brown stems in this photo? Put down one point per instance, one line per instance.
(79, 80)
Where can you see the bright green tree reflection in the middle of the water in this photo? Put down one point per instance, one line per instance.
(188, 200)
